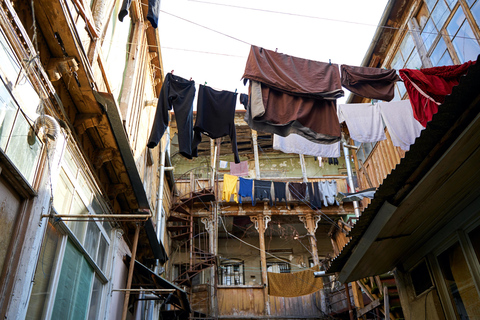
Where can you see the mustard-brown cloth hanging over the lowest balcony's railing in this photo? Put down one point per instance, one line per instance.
(294, 284)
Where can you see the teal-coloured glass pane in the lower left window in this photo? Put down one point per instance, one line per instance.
(74, 286)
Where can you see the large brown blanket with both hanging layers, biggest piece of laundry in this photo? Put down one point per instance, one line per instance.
(298, 96)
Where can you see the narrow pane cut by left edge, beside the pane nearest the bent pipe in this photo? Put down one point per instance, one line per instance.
(8, 110)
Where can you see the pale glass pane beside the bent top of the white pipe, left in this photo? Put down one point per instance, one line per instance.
(23, 155)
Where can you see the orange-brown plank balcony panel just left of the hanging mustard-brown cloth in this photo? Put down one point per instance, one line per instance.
(240, 301)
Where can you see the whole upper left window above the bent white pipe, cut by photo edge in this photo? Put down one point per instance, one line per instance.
(18, 105)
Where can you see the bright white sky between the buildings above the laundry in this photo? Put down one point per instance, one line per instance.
(209, 41)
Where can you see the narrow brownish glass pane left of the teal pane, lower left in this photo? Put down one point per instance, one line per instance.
(43, 273)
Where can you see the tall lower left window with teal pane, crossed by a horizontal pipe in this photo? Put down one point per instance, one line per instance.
(72, 267)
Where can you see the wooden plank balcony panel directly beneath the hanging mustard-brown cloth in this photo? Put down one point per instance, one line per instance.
(308, 305)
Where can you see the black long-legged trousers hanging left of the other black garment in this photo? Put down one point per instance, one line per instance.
(178, 93)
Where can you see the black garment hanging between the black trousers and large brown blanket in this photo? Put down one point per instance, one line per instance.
(215, 117)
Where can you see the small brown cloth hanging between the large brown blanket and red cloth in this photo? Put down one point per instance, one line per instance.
(373, 83)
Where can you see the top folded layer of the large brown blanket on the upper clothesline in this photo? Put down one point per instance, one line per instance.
(293, 75)
